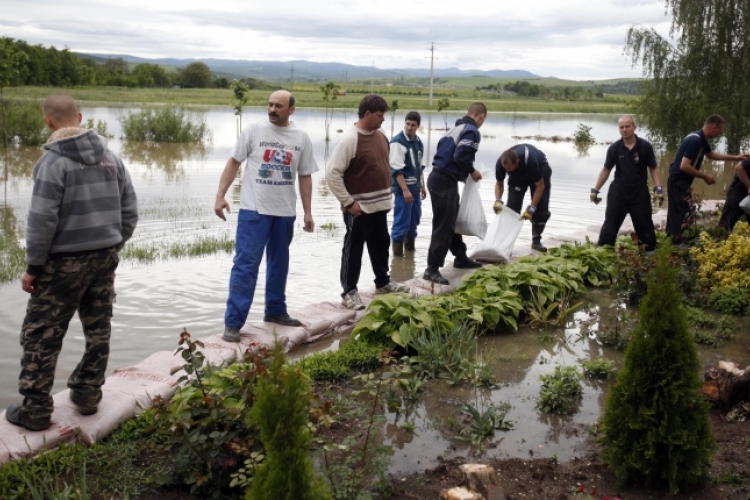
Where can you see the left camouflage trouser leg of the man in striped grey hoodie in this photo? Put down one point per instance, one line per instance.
(59, 289)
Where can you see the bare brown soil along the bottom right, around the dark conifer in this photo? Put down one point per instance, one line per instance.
(542, 479)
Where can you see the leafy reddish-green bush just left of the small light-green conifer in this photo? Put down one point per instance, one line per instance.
(204, 428)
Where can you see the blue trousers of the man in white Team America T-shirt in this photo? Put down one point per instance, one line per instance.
(256, 233)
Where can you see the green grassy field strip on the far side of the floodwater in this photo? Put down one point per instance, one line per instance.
(308, 96)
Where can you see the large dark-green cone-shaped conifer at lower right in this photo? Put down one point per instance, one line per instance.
(655, 424)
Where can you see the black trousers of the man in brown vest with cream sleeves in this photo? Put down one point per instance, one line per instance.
(371, 229)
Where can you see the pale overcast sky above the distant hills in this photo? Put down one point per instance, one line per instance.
(576, 39)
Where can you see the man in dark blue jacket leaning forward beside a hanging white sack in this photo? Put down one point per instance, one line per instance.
(453, 162)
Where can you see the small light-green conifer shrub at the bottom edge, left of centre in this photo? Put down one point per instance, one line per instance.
(280, 412)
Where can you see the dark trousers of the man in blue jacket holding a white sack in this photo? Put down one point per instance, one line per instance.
(445, 200)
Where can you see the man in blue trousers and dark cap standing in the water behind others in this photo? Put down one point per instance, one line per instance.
(408, 184)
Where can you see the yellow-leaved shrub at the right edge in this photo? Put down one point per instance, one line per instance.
(724, 264)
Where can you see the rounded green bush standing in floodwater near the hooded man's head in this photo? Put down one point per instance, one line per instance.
(169, 124)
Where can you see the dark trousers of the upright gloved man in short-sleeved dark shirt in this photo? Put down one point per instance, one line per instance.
(621, 201)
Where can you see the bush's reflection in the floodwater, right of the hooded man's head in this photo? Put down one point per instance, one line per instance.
(165, 157)
